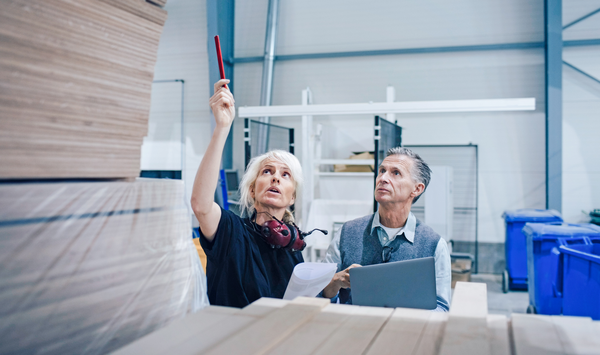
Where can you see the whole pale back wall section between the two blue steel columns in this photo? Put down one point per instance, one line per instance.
(511, 145)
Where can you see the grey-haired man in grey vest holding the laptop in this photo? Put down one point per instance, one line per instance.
(393, 233)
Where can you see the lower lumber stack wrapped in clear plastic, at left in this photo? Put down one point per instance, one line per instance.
(89, 267)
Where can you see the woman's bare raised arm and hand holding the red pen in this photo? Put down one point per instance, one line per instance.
(207, 177)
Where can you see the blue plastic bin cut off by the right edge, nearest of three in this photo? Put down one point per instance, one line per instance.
(581, 280)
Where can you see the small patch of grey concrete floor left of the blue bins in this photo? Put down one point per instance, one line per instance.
(499, 302)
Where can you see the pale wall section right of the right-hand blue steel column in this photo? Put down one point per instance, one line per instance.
(581, 114)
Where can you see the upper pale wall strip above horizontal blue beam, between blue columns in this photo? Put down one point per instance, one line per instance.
(314, 26)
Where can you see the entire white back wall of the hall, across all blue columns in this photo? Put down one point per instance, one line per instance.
(511, 145)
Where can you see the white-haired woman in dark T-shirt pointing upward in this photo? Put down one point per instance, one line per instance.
(242, 266)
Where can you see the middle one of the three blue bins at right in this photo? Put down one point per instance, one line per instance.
(543, 254)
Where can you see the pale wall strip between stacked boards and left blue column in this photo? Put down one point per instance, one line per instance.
(182, 54)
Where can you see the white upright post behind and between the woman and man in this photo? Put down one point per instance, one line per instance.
(307, 159)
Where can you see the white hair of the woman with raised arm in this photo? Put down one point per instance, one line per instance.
(251, 174)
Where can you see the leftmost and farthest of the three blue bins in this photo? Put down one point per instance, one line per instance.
(516, 243)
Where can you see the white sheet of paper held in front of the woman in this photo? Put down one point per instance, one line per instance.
(308, 279)
